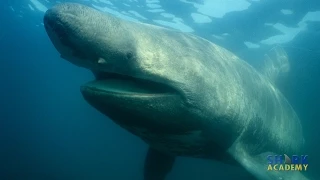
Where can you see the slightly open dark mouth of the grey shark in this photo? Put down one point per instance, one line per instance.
(113, 83)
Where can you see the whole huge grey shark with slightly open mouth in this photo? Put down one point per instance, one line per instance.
(181, 94)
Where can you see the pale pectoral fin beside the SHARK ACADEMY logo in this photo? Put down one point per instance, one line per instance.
(257, 165)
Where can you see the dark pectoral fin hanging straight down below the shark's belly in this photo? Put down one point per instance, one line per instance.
(157, 165)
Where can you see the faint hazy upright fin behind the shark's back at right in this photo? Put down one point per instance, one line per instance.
(276, 64)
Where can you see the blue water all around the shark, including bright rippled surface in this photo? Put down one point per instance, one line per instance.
(48, 131)
